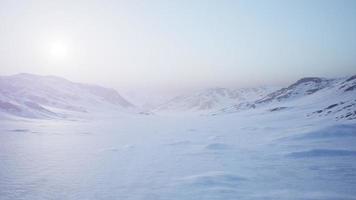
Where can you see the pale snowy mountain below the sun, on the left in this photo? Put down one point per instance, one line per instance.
(33, 96)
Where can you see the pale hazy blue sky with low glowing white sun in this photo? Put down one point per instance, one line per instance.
(178, 43)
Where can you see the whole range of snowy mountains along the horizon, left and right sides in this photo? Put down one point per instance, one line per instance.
(33, 96)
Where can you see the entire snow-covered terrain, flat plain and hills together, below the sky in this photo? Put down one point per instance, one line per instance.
(294, 143)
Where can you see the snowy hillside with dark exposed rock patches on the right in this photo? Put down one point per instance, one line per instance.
(315, 96)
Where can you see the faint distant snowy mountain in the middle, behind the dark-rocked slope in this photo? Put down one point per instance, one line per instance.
(213, 99)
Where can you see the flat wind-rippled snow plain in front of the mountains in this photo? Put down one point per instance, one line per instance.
(247, 155)
